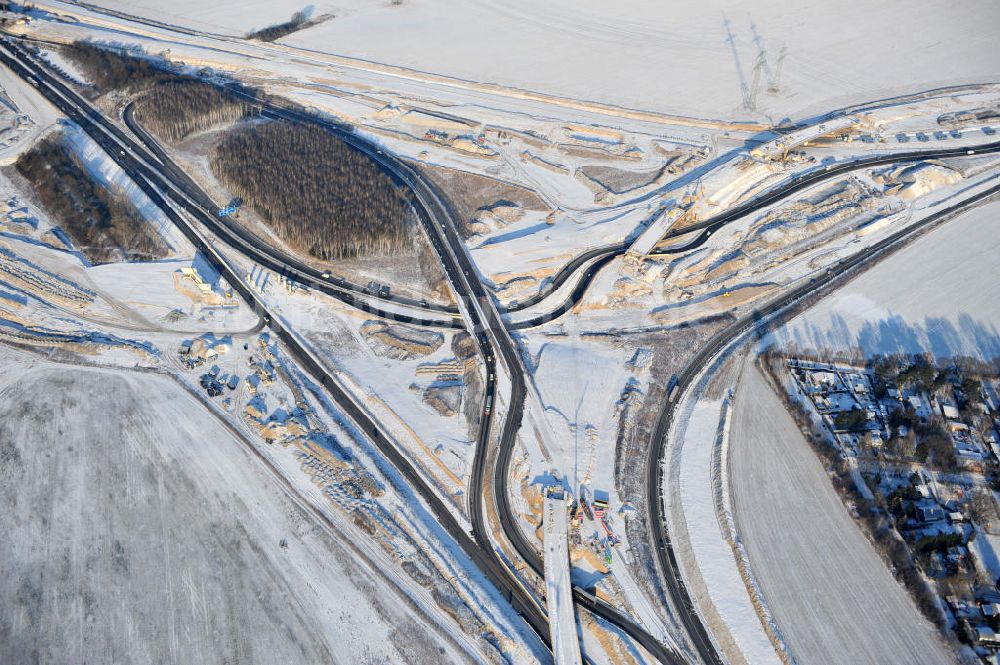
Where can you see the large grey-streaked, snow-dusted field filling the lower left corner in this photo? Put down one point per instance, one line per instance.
(138, 530)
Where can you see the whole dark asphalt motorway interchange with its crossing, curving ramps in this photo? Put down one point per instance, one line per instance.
(478, 312)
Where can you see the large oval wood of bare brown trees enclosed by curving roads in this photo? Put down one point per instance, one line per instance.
(320, 196)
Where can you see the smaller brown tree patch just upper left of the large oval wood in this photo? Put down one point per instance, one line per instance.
(177, 109)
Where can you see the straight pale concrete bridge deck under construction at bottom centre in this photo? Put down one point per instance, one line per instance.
(558, 588)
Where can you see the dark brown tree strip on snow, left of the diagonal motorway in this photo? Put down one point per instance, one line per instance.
(103, 225)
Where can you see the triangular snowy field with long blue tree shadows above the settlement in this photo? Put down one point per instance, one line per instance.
(939, 294)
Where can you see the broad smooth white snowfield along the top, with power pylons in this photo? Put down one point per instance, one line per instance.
(644, 54)
